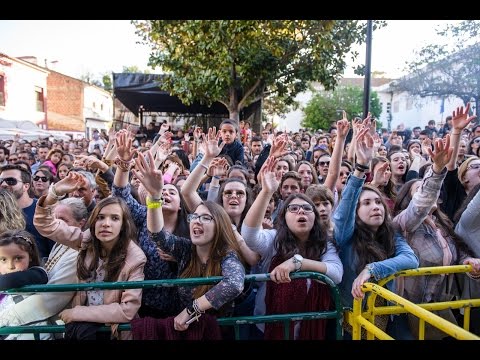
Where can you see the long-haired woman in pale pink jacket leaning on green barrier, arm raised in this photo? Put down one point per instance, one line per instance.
(107, 251)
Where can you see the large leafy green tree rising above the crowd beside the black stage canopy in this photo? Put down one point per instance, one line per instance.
(237, 62)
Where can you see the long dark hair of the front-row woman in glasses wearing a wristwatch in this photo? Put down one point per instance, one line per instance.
(286, 242)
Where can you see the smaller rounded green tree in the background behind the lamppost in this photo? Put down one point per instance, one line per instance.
(326, 106)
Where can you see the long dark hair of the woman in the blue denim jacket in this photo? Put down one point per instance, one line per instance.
(373, 246)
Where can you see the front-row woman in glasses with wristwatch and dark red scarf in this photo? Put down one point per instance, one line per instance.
(298, 242)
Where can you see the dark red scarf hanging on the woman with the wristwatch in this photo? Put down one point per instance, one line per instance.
(293, 297)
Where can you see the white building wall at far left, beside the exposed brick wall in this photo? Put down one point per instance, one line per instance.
(20, 82)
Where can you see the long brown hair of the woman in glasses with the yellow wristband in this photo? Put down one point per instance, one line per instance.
(223, 241)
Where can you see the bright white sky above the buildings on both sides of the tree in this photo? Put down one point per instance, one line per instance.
(78, 47)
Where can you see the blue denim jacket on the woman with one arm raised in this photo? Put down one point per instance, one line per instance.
(344, 223)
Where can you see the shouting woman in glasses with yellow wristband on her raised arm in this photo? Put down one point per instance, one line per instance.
(211, 250)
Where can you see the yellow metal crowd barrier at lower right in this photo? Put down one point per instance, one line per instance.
(359, 319)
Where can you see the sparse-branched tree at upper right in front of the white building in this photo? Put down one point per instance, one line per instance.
(451, 67)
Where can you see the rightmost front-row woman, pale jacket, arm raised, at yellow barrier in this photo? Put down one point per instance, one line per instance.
(430, 233)
